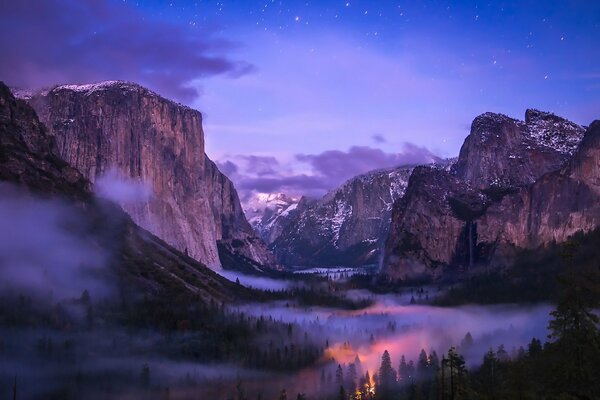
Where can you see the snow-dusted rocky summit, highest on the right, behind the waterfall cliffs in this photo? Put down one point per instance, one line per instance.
(502, 152)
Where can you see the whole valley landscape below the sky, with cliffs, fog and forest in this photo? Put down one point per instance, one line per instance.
(132, 269)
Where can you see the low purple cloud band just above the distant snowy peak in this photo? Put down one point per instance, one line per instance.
(325, 171)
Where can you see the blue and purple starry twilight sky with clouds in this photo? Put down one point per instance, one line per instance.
(298, 96)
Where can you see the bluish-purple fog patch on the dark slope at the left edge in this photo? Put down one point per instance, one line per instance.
(43, 248)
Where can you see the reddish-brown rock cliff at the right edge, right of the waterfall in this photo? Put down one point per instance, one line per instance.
(553, 208)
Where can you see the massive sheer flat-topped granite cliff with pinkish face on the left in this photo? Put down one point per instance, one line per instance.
(121, 129)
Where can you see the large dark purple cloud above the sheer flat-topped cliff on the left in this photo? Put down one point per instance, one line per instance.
(84, 41)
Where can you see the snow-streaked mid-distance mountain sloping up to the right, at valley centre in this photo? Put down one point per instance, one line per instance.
(346, 226)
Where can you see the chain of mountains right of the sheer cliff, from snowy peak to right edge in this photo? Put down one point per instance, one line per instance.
(516, 184)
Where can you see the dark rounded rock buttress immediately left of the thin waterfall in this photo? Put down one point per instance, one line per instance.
(430, 225)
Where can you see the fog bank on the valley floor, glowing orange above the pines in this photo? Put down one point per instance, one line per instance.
(403, 329)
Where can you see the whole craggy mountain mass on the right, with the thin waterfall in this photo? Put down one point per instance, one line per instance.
(513, 186)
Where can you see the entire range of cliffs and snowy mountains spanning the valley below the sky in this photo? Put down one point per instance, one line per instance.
(515, 184)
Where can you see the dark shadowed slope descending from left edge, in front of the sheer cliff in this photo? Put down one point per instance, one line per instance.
(143, 264)
